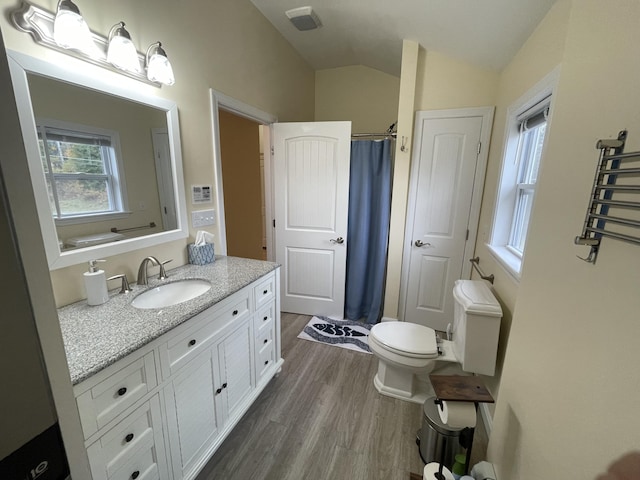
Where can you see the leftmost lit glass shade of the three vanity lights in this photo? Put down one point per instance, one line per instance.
(71, 31)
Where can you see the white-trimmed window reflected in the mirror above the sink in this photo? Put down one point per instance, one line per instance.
(82, 173)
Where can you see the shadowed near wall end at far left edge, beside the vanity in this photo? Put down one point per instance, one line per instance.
(18, 329)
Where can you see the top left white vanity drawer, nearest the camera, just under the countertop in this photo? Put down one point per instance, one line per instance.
(112, 396)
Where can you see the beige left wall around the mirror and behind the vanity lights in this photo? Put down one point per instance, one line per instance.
(207, 48)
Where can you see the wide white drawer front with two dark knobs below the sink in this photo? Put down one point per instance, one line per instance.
(183, 348)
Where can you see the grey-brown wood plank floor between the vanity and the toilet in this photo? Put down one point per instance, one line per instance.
(322, 419)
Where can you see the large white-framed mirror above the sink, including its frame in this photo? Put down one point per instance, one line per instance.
(104, 158)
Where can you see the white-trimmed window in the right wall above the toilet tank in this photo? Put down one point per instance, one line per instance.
(526, 132)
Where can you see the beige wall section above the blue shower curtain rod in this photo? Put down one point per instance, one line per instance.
(363, 95)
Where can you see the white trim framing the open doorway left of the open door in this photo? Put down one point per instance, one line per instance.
(220, 101)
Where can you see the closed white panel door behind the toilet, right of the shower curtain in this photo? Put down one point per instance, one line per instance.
(444, 171)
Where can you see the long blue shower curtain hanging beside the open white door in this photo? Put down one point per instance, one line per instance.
(368, 231)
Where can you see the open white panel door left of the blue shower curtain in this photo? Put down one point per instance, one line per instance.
(311, 200)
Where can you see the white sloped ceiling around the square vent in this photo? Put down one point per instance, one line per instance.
(370, 32)
